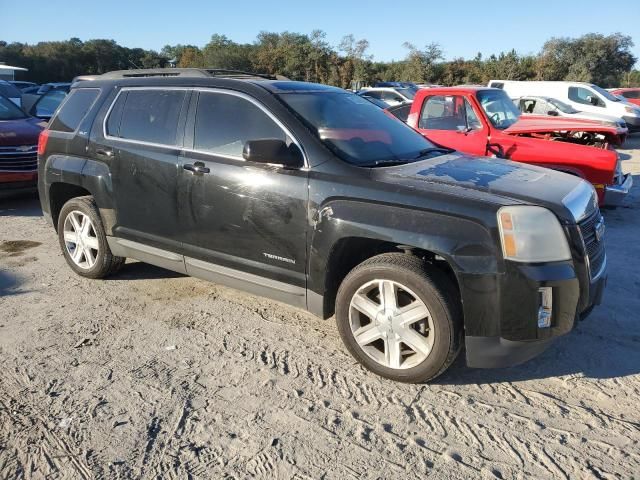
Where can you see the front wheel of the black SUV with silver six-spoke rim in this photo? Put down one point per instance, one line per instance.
(399, 319)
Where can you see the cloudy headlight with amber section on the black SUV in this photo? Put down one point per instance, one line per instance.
(531, 234)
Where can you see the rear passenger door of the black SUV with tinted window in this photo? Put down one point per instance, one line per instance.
(143, 133)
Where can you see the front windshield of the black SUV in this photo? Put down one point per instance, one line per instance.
(357, 131)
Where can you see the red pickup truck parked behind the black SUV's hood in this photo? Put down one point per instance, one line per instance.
(484, 121)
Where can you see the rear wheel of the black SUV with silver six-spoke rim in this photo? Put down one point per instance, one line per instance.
(83, 239)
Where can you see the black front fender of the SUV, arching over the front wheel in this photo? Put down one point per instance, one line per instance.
(340, 242)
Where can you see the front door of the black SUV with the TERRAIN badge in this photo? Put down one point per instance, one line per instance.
(244, 216)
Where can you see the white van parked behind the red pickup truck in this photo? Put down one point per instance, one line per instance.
(585, 97)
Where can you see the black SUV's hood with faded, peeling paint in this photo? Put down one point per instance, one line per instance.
(508, 182)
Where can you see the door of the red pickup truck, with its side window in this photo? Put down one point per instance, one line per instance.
(451, 121)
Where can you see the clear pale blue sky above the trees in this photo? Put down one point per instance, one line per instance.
(461, 27)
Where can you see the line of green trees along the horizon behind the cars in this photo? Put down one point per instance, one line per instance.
(602, 59)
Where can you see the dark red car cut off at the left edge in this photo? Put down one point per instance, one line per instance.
(18, 149)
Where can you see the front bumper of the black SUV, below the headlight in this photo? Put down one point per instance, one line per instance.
(515, 336)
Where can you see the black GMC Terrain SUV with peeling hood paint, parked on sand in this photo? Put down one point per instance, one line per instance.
(315, 197)
